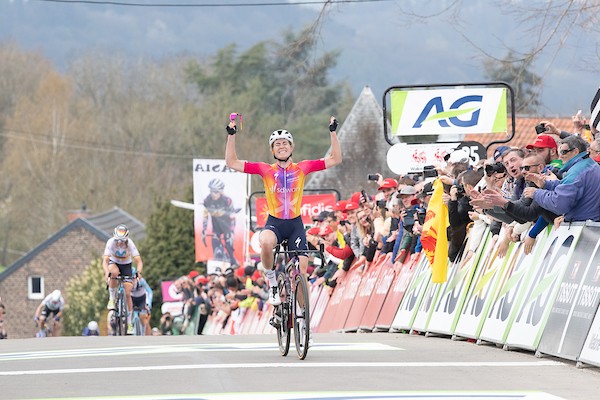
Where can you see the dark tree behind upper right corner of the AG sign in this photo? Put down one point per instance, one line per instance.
(517, 72)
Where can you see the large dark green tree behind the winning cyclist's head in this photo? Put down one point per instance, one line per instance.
(275, 85)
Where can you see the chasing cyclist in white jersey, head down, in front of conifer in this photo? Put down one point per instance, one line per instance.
(119, 253)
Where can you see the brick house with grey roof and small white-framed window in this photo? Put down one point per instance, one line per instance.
(50, 265)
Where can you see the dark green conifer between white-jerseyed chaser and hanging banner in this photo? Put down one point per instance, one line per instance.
(168, 250)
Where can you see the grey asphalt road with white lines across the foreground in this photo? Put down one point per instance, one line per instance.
(338, 366)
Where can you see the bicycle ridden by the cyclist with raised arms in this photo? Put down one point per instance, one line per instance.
(294, 310)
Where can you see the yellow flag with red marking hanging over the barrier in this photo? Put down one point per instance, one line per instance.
(434, 237)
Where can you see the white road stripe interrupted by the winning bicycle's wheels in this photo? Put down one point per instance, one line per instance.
(188, 348)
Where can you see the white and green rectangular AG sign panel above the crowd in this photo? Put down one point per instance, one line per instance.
(448, 111)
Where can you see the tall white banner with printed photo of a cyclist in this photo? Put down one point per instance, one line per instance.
(220, 219)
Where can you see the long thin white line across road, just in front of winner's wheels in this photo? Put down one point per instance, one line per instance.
(188, 367)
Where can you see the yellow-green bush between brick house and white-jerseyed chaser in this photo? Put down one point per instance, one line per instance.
(86, 297)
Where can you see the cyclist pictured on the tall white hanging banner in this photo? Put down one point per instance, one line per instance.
(222, 215)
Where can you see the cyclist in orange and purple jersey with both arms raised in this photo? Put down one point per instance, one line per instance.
(284, 184)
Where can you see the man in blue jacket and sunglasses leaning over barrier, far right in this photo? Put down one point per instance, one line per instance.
(576, 195)
